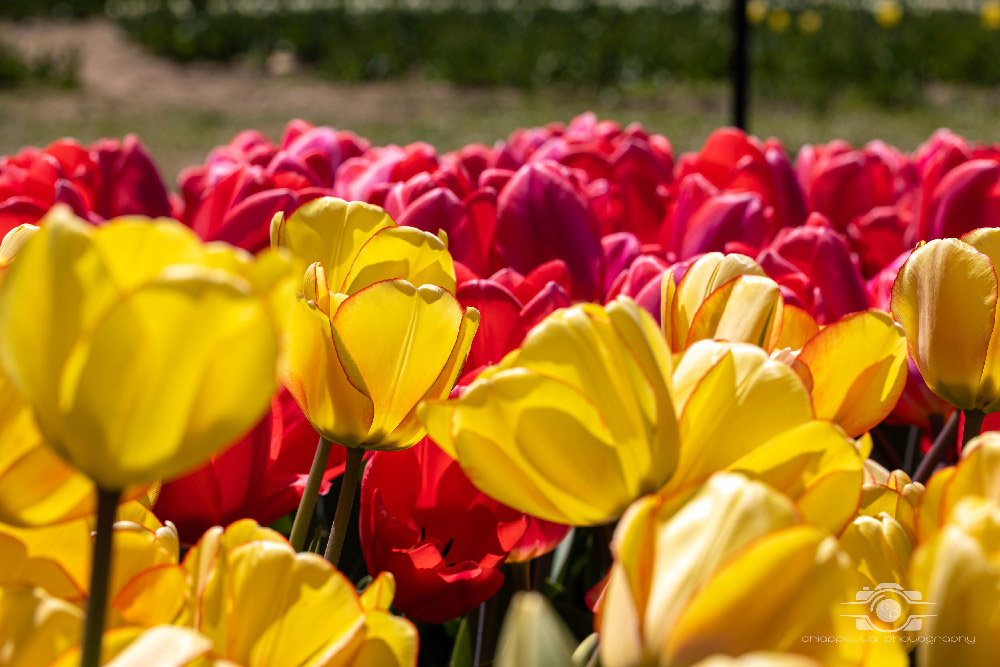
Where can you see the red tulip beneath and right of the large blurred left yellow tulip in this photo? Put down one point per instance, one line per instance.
(259, 477)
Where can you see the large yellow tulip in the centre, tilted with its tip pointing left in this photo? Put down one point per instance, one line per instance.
(574, 425)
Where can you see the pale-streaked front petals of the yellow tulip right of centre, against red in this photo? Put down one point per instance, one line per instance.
(746, 309)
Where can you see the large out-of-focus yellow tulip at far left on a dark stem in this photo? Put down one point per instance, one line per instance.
(140, 349)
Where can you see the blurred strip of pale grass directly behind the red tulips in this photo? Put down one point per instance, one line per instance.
(686, 114)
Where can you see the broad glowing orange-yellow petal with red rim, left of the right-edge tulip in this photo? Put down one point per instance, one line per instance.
(858, 367)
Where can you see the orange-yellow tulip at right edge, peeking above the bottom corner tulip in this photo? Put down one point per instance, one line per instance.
(976, 474)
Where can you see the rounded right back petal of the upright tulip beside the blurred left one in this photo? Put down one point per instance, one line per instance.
(401, 253)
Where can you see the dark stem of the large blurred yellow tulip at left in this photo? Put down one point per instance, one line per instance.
(100, 570)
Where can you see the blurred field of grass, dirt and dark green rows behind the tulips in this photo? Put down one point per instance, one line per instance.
(187, 75)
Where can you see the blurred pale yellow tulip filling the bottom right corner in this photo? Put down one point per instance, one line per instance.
(958, 570)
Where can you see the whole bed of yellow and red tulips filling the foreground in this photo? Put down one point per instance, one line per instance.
(571, 399)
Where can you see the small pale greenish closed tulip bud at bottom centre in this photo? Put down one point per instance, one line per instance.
(533, 635)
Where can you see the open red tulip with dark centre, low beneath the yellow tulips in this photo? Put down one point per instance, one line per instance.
(440, 537)
